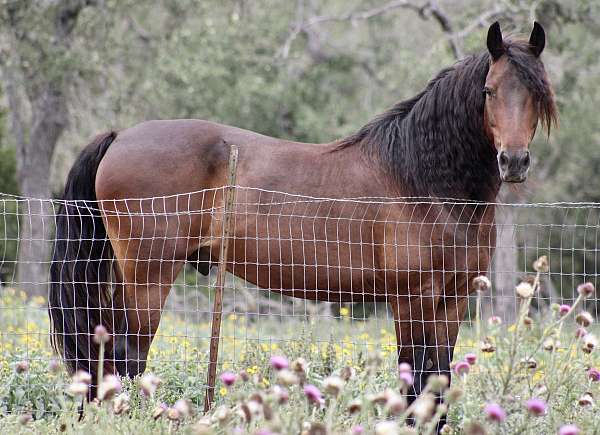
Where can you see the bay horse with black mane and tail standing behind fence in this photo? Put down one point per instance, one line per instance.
(464, 134)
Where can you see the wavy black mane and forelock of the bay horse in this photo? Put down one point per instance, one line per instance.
(434, 144)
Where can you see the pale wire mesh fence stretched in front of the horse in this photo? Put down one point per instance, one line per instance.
(333, 280)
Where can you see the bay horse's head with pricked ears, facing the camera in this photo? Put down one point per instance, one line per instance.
(517, 96)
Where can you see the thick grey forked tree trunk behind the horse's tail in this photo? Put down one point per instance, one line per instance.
(36, 137)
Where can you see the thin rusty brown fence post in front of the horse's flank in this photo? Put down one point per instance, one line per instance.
(215, 335)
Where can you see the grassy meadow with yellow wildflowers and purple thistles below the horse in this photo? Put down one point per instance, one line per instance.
(533, 358)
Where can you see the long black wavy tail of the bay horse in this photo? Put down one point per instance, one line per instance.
(81, 266)
